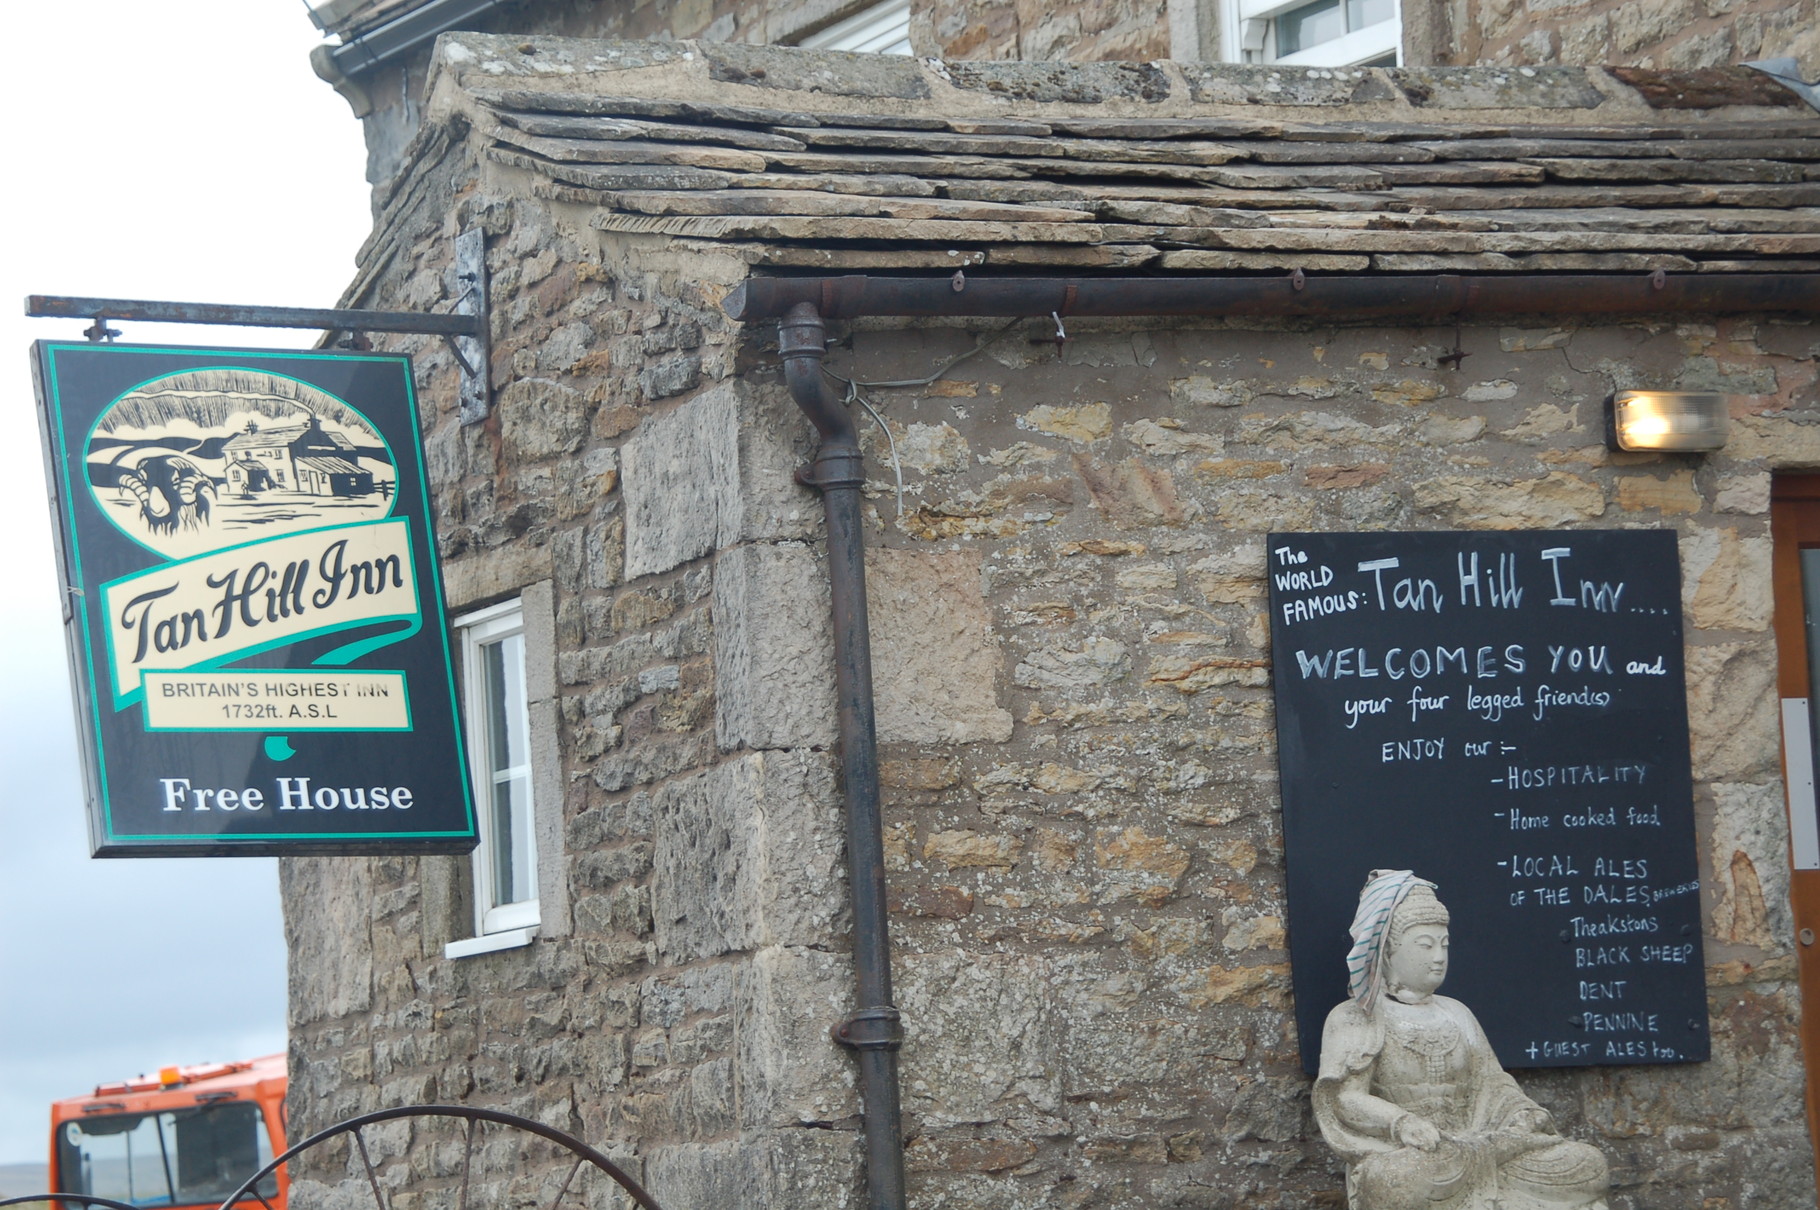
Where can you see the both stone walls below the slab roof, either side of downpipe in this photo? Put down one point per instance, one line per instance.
(1077, 723)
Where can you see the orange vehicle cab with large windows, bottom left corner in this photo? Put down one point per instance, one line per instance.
(188, 1136)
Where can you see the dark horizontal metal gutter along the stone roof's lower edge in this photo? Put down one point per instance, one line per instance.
(1353, 297)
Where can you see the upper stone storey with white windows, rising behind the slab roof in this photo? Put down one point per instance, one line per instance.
(383, 52)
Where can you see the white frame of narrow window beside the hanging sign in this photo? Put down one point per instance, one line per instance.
(498, 927)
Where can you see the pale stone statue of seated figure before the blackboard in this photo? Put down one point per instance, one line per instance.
(1410, 1091)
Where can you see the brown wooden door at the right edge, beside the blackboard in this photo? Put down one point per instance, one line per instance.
(1795, 525)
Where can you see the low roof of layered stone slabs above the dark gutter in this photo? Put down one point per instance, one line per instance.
(813, 159)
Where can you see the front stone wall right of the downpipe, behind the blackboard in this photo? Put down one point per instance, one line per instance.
(1091, 940)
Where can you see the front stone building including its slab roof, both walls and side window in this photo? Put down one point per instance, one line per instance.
(1067, 598)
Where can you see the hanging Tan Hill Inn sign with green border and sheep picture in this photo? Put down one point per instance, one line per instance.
(254, 605)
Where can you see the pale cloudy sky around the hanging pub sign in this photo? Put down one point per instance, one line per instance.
(156, 150)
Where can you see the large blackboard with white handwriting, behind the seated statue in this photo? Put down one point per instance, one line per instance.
(1506, 714)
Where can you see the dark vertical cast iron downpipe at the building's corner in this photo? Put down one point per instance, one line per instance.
(873, 1031)
